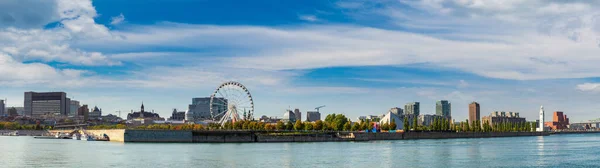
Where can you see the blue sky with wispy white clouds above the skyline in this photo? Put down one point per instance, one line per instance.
(357, 57)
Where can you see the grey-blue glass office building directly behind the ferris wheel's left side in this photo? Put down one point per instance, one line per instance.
(200, 107)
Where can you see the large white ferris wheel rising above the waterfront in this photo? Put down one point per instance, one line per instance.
(229, 101)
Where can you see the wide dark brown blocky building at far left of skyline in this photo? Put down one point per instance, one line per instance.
(36, 104)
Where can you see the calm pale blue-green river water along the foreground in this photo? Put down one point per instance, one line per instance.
(582, 150)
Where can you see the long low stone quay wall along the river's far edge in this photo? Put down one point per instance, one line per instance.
(125, 135)
